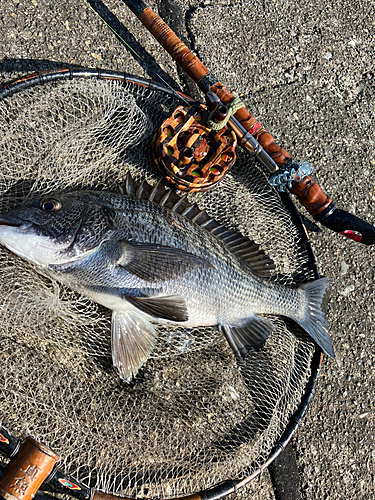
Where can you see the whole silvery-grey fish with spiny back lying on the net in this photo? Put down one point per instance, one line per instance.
(151, 256)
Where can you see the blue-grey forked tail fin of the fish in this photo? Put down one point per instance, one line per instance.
(315, 324)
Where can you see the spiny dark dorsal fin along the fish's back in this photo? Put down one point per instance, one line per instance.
(239, 245)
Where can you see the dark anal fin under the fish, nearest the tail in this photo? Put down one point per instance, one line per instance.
(251, 336)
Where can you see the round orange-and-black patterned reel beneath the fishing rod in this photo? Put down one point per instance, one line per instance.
(189, 153)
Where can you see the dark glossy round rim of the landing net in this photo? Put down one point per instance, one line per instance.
(11, 444)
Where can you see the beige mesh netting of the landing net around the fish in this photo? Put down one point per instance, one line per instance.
(193, 416)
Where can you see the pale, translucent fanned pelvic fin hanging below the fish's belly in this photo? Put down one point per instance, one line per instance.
(133, 339)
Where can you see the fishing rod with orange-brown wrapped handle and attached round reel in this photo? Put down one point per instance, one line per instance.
(192, 160)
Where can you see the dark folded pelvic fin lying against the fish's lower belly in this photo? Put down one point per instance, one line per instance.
(170, 307)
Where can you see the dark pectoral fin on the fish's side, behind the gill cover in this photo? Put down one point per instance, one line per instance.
(151, 262)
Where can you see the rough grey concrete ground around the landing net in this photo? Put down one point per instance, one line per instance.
(306, 71)
